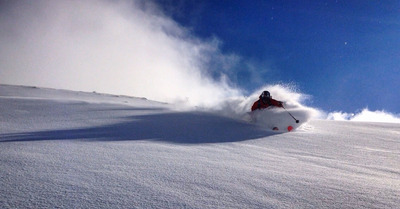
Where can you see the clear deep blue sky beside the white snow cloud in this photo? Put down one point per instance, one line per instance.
(346, 54)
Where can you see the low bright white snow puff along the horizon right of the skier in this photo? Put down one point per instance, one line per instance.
(366, 116)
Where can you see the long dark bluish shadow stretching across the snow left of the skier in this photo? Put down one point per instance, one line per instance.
(187, 127)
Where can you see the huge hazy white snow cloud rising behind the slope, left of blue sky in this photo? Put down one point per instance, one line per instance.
(119, 47)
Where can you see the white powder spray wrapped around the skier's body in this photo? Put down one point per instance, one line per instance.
(240, 108)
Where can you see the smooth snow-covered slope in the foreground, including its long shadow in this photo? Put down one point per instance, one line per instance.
(87, 150)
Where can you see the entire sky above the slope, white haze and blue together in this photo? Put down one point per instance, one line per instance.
(343, 54)
